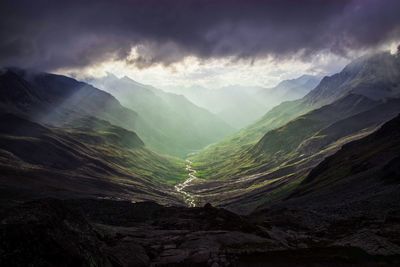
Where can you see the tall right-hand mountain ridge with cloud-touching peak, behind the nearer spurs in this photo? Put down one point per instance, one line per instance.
(360, 77)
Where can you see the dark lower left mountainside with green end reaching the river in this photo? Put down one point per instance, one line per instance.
(93, 160)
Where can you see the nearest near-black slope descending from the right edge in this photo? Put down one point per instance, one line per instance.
(363, 177)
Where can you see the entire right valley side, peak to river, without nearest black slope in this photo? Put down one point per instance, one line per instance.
(242, 173)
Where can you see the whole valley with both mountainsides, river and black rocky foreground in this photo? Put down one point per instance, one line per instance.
(312, 179)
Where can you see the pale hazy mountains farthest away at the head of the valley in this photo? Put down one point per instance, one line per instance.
(240, 105)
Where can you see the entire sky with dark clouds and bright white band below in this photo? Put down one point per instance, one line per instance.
(182, 43)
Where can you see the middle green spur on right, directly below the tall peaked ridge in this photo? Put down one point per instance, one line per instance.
(279, 144)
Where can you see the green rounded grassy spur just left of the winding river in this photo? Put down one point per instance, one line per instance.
(120, 147)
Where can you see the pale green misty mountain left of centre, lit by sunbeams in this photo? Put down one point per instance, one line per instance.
(184, 127)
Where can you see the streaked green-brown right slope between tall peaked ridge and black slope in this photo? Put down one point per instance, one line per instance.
(270, 169)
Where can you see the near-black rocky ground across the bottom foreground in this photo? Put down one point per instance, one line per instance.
(53, 232)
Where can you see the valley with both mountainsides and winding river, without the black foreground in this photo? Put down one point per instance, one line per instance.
(258, 165)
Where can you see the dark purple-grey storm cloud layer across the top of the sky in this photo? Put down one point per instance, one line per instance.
(53, 34)
